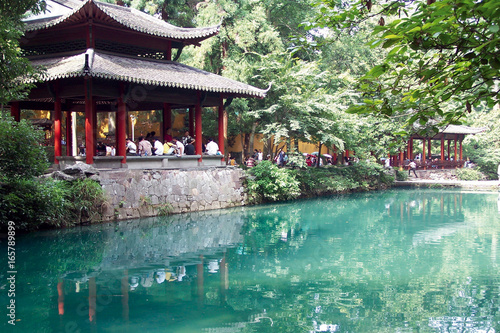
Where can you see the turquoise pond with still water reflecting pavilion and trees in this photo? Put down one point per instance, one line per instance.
(409, 260)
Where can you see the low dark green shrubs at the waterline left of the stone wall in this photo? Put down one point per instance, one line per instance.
(37, 203)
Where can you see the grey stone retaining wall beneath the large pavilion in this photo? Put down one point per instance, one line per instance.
(143, 193)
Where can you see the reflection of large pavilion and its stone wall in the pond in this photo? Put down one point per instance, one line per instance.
(138, 252)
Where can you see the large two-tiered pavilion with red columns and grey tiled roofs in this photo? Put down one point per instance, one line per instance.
(101, 57)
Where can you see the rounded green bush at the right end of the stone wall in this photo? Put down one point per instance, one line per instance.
(267, 183)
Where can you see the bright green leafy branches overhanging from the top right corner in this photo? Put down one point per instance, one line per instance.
(439, 52)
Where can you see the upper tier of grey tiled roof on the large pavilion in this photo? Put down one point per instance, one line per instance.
(125, 16)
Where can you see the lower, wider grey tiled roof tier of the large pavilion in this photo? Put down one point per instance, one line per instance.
(143, 71)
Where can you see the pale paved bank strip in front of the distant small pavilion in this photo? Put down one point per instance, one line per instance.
(490, 185)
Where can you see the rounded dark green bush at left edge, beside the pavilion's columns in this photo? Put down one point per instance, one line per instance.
(21, 155)
